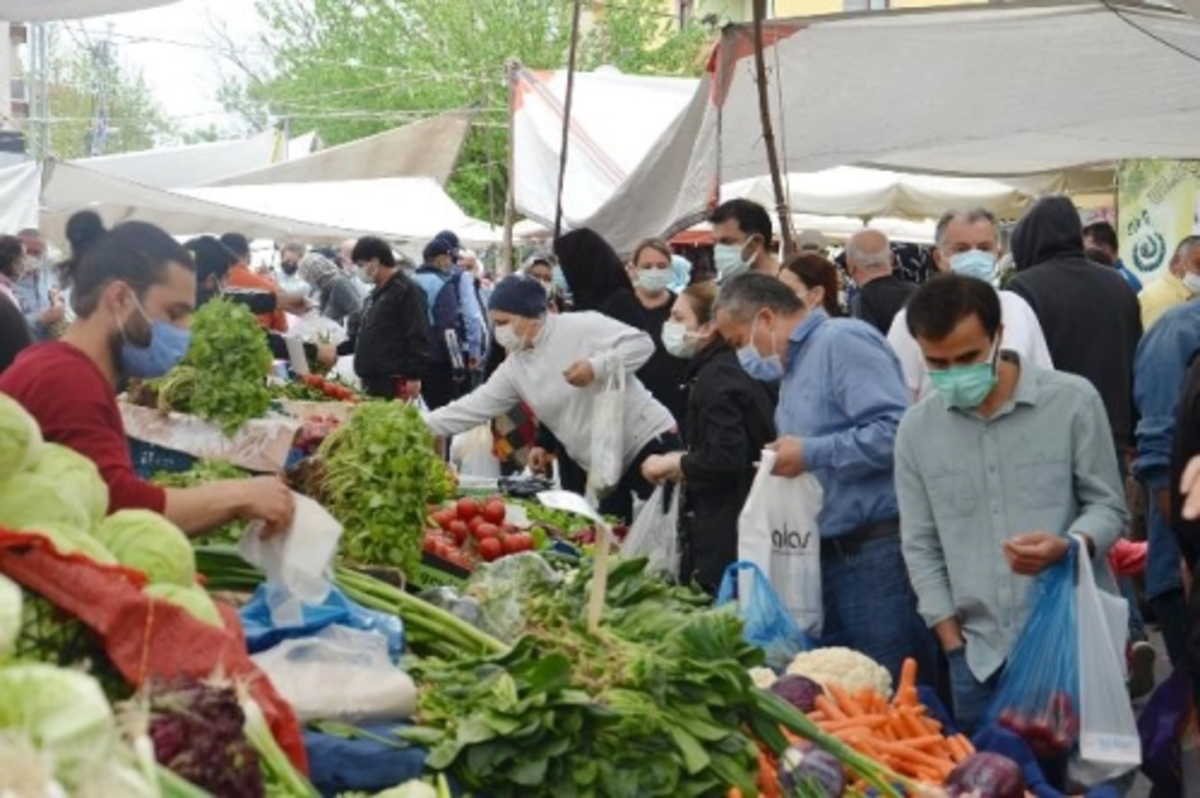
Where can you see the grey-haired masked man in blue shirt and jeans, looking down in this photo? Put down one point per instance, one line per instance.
(842, 399)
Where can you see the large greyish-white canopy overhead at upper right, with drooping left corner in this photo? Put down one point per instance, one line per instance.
(981, 91)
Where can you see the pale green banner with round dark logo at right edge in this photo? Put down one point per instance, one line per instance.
(1159, 206)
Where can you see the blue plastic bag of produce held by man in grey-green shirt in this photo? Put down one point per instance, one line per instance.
(1039, 694)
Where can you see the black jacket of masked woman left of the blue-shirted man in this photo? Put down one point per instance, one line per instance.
(730, 419)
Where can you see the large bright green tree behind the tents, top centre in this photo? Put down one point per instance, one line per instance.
(351, 70)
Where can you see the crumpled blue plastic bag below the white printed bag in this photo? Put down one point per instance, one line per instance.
(769, 625)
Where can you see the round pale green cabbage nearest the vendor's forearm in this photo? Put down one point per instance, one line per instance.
(149, 543)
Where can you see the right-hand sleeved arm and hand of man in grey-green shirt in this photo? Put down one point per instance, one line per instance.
(1097, 482)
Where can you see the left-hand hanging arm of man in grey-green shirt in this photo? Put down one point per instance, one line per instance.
(922, 548)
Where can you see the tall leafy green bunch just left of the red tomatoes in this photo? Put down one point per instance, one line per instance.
(379, 475)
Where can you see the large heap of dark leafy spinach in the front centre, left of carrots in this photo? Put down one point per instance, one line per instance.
(656, 705)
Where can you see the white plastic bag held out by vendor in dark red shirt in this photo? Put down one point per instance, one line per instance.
(297, 562)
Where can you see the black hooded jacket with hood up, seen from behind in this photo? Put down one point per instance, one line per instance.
(1089, 314)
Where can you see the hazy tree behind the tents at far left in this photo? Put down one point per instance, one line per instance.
(80, 77)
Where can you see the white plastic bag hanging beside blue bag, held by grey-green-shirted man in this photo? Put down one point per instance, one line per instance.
(1109, 745)
